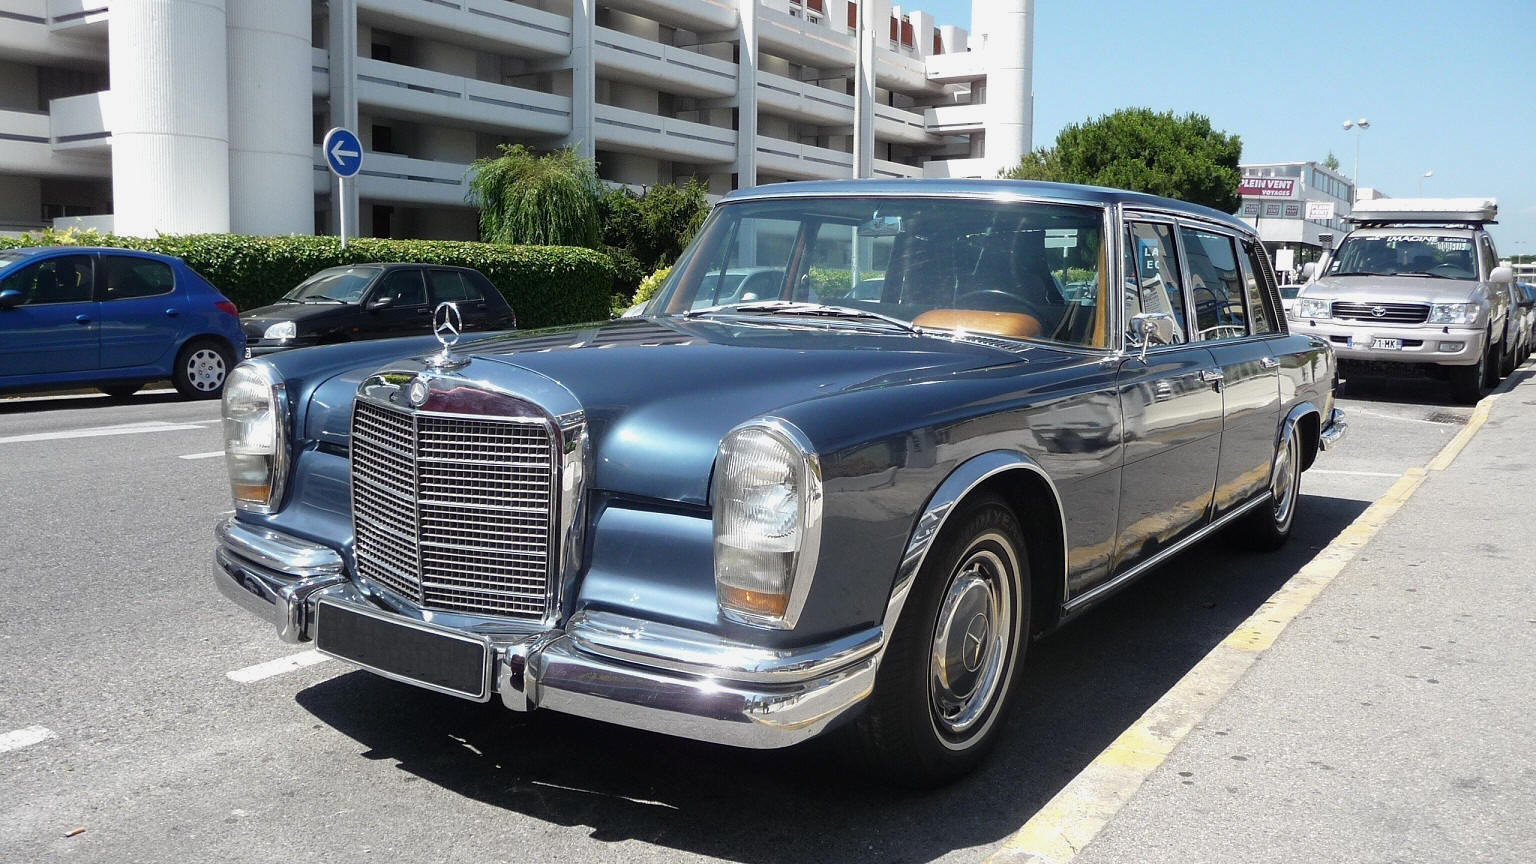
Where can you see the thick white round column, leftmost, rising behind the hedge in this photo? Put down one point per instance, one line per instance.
(171, 116)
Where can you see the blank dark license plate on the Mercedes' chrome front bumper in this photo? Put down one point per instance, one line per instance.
(428, 657)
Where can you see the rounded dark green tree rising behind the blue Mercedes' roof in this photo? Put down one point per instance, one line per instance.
(1144, 151)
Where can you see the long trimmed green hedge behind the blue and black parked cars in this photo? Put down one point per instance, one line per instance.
(546, 285)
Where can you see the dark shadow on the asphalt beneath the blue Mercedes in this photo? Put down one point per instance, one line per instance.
(1082, 688)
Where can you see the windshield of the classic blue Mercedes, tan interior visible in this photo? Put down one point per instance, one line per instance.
(1004, 268)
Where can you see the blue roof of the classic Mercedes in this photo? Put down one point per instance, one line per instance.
(1067, 193)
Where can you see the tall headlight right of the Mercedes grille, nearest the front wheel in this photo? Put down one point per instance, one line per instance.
(767, 505)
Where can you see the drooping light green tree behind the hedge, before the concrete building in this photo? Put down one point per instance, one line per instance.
(537, 199)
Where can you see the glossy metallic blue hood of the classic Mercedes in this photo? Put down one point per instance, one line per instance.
(660, 394)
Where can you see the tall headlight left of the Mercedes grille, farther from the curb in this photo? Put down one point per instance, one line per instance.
(256, 437)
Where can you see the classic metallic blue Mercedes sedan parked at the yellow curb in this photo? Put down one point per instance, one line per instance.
(952, 416)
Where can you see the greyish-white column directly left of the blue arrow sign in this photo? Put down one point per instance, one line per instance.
(271, 108)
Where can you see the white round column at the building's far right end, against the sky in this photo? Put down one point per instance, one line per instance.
(1010, 82)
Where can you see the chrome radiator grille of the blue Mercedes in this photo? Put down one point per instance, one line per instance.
(454, 513)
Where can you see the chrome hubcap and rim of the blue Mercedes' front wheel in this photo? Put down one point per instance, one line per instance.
(972, 637)
